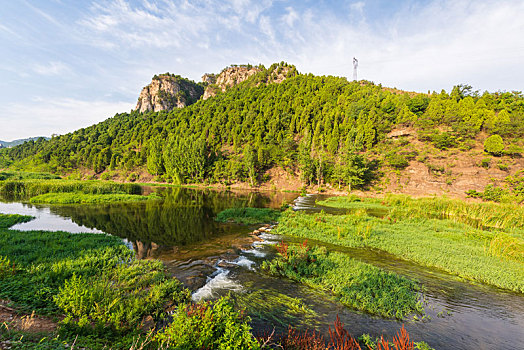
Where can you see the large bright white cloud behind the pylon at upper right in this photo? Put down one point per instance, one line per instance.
(421, 48)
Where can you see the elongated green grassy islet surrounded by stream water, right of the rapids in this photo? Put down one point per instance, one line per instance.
(356, 284)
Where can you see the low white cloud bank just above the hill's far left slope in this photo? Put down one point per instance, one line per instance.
(42, 117)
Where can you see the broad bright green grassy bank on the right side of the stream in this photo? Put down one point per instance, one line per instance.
(479, 241)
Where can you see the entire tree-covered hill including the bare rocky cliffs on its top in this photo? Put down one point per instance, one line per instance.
(274, 128)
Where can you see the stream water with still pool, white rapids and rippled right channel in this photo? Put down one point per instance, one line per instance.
(213, 259)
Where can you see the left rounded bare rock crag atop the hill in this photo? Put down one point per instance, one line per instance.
(168, 91)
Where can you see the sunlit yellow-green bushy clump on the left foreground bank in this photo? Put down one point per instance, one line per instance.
(119, 298)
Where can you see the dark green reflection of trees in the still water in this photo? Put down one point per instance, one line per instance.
(183, 217)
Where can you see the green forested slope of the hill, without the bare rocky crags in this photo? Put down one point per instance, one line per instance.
(321, 129)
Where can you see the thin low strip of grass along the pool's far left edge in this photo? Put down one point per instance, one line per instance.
(83, 198)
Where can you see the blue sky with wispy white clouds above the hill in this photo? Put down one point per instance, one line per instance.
(67, 64)
